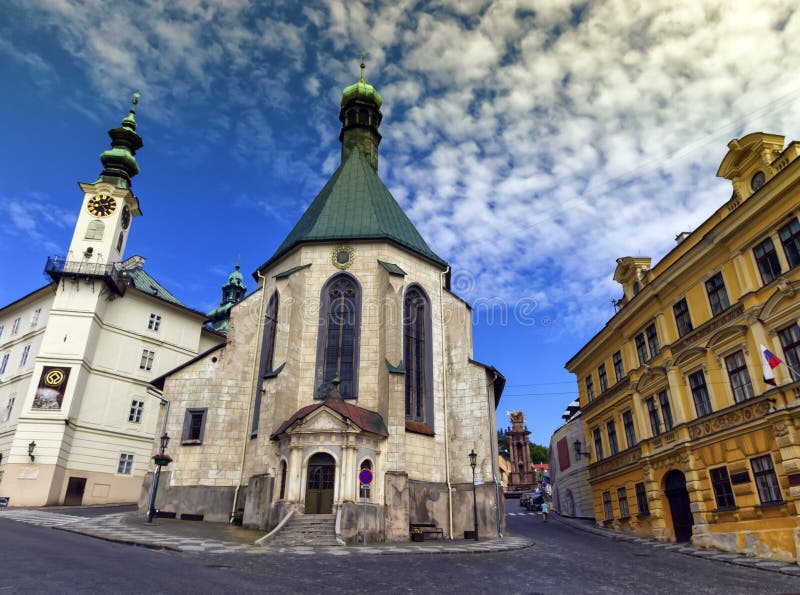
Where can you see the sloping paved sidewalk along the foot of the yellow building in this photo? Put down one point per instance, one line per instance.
(683, 548)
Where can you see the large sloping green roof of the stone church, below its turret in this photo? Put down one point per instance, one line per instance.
(355, 205)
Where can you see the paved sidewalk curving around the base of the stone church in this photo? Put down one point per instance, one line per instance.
(200, 536)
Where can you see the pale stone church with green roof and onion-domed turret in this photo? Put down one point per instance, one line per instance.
(347, 388)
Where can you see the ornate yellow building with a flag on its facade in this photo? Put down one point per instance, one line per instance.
(687, 440)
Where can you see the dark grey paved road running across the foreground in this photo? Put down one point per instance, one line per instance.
(564, 560)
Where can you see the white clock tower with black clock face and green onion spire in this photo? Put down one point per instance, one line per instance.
(109, 205)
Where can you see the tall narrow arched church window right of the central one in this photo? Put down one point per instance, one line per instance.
(418, 356)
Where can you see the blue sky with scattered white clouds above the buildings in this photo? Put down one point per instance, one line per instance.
(531, 142)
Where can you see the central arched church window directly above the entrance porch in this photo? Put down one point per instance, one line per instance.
(338, 343)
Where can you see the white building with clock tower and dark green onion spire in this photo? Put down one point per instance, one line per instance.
(76, 356)
